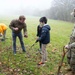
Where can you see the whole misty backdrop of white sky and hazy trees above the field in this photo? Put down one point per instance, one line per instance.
(52, 9)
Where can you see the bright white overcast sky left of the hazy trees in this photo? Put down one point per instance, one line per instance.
(7, 6)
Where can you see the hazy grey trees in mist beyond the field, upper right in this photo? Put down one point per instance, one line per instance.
(61, 10)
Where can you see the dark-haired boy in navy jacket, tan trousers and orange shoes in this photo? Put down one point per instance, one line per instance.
(44, 38)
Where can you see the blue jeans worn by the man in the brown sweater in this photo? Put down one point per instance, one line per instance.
(19, 35)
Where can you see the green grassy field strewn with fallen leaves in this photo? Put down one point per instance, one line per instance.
(26, 63)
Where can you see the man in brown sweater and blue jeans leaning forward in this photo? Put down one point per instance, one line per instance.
(16, 26)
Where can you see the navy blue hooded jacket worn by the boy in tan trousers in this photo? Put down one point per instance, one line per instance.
(45, 34)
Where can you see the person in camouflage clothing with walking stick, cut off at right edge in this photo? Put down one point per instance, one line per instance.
(71, 50)
